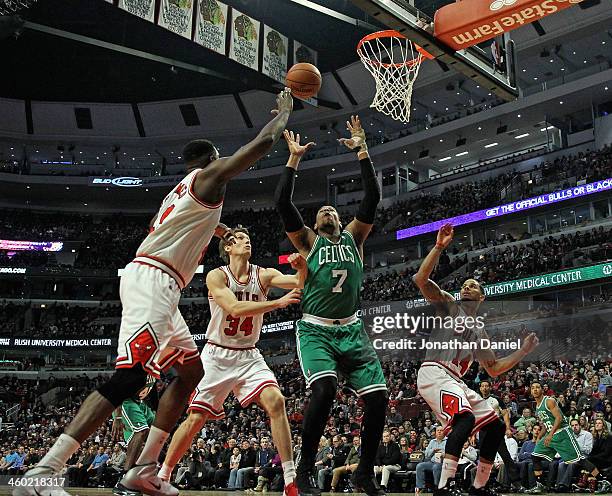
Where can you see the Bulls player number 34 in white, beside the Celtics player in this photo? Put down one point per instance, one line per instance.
(238, 301)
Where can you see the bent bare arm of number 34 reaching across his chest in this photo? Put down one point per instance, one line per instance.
(226, 299)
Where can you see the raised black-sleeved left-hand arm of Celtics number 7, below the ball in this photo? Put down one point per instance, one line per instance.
(301, 236)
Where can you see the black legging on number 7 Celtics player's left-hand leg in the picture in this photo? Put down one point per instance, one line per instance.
(315, 418)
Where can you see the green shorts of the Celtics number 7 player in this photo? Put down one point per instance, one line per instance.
(325, 350)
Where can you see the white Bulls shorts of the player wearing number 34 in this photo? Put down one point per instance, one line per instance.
(241, 371)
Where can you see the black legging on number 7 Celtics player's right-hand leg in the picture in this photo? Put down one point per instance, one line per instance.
(371, 429)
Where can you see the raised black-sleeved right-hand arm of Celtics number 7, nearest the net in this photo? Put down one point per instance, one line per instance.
(361, 226)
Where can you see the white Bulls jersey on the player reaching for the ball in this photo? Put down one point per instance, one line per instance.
(181, 232)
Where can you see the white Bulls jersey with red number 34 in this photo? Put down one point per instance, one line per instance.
(237, 332)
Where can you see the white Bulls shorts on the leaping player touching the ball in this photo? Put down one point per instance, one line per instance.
(153, 331)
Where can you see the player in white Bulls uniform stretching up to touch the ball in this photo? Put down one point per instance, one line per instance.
(153, 334)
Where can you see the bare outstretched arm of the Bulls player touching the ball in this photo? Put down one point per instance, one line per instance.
(220, 171)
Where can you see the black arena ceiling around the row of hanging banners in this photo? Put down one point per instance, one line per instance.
(43, 66)
